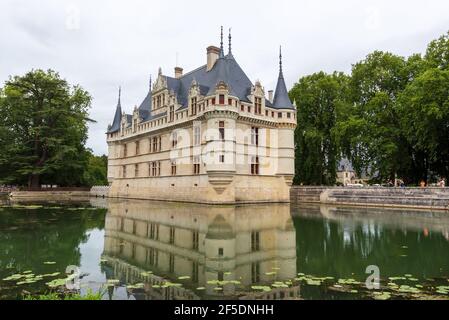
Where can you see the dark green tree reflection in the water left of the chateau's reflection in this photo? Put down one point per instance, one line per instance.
(30, 237)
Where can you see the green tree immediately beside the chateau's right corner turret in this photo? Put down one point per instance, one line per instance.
(317, 97)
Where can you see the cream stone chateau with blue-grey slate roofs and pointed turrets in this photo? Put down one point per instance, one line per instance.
(207, 136)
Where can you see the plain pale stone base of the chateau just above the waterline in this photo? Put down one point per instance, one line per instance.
(205, 189)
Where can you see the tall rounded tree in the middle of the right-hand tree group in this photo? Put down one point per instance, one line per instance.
(370, 132)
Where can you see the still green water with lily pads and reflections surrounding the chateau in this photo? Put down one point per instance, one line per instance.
(155, 250)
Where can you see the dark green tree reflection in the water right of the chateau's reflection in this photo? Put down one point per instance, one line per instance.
(344, 246)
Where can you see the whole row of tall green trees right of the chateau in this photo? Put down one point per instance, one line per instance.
(390, 117)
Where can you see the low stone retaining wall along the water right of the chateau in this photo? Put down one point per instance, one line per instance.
(424, 198)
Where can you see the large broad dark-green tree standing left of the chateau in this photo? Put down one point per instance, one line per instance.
(43, 130)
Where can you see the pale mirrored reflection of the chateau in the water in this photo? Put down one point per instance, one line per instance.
(242, 246)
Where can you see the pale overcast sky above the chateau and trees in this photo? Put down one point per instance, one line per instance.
(102, 45)
